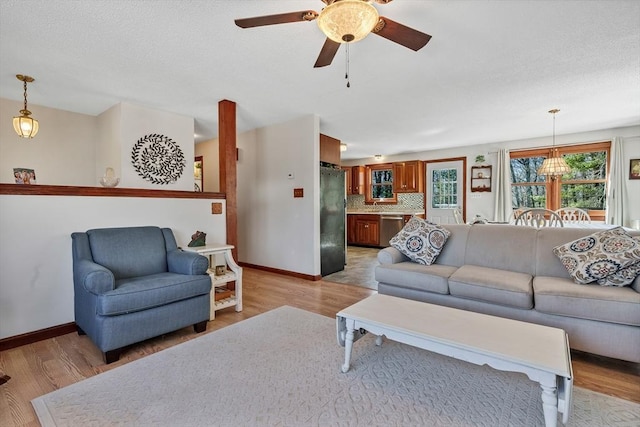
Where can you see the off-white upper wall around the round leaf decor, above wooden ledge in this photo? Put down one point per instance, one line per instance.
(75, 149)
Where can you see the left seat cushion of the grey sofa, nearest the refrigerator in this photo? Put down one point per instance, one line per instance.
(429, 278)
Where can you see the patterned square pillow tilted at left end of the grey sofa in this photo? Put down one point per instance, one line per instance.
(420, 240)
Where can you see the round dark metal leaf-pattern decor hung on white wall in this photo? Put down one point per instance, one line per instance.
(158, 159)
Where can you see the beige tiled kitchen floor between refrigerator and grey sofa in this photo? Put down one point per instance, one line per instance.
(360, 268)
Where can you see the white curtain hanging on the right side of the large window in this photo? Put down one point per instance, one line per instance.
(617, 198)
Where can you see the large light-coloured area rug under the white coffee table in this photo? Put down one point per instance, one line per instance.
(282, 368)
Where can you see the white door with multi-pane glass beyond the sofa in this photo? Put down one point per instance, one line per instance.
(445, 190)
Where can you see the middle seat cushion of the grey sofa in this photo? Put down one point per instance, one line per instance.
(492, 285)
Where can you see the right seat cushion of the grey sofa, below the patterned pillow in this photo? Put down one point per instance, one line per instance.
(564, 297)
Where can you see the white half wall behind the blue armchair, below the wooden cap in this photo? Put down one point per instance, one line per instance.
(36, 279)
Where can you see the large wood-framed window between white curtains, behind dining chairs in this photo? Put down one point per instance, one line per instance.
(584, 187)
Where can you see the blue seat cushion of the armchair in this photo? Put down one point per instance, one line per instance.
(142, 293)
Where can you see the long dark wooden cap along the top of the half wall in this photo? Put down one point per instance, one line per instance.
(63, 190)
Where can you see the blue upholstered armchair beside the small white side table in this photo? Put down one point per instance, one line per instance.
(134, 283)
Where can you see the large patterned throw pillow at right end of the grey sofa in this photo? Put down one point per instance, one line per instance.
(600, 255)
